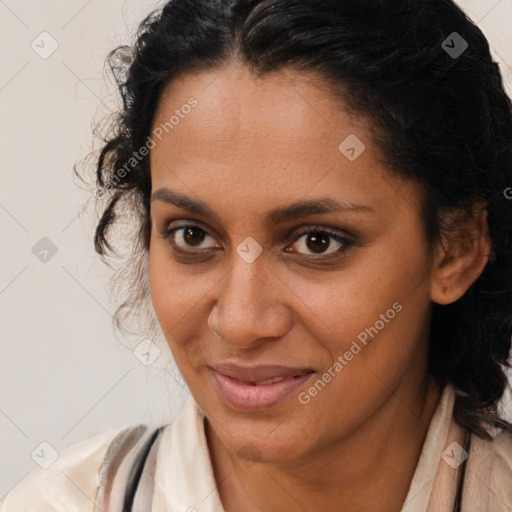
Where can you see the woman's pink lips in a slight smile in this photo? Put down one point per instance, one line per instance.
(258, 388)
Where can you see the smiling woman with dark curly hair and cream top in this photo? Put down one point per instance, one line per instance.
(325, 237)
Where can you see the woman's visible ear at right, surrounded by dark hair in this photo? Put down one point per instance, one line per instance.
(461, 254)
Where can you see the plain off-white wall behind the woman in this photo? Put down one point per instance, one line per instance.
(64, 375)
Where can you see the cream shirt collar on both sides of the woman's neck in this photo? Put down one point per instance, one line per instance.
(184, 479)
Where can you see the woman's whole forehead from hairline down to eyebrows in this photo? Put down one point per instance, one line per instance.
(265, 140)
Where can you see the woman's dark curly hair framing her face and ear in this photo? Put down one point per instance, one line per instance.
(441, 119)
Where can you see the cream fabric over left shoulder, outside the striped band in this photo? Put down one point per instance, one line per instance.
(69, 484)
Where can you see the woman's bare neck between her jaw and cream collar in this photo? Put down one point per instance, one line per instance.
(351, 474)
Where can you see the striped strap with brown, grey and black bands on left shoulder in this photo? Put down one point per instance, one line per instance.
(124, 467)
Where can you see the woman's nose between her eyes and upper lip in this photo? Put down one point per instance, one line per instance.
(251, 307)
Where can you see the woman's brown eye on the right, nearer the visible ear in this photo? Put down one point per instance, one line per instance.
(317, 240)
